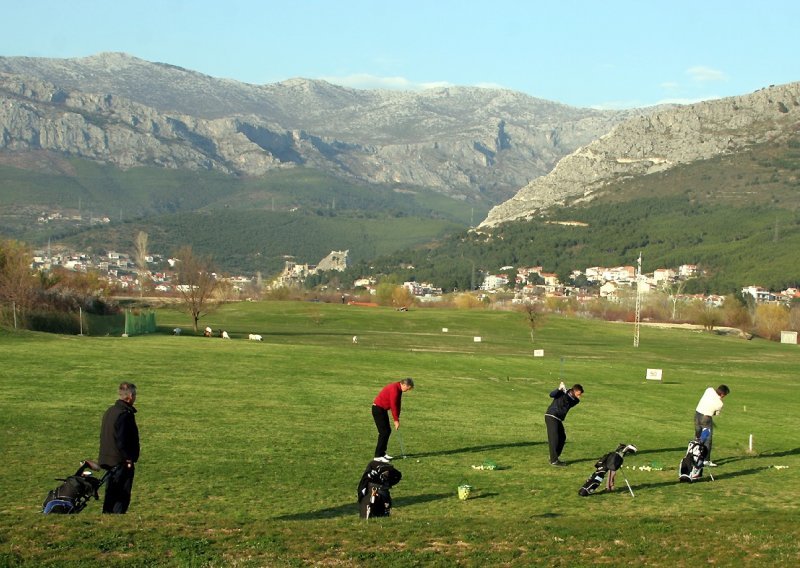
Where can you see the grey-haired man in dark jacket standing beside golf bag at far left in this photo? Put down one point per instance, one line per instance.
(119, 449)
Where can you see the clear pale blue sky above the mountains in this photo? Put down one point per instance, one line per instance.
(612, 54)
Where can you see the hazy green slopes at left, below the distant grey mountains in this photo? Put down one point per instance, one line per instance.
(246, 224)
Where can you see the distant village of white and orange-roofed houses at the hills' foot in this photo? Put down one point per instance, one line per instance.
(521, 284)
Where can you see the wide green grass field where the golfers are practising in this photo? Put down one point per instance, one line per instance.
(251, 452)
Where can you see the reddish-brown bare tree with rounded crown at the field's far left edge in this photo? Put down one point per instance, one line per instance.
(196, 284)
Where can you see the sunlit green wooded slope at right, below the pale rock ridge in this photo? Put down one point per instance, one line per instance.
(737, 217)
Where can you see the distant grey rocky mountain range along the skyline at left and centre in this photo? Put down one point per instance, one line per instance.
(468, 143)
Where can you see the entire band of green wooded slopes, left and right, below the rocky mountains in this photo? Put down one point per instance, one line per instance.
(735, 216)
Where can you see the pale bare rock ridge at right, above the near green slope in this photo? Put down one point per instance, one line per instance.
(658, 141)
